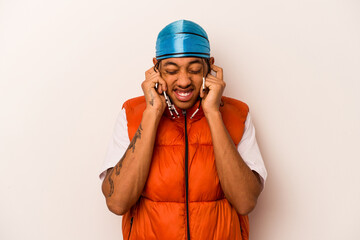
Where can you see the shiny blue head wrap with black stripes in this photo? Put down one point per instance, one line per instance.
(182, 38)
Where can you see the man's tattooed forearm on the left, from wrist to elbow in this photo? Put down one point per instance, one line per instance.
(124, 183)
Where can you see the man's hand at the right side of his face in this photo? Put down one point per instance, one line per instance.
(215, 86)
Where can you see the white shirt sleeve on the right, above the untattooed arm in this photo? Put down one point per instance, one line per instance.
(250, 152)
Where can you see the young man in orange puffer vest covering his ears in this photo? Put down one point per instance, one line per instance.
(184, 163)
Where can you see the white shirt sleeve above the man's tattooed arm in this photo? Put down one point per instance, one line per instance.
(118, 144)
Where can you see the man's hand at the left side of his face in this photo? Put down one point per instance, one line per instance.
(155, 101)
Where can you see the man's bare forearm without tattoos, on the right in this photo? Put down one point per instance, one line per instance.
(240, 185)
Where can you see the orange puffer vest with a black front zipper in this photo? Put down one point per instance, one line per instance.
(182, 198)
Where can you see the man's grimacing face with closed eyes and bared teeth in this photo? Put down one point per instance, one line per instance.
(183, 77)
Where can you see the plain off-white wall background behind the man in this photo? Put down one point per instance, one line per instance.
(67, 66)
